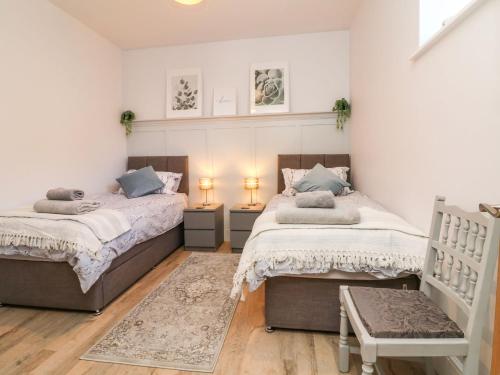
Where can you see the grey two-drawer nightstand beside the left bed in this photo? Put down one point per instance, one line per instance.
(203, 227)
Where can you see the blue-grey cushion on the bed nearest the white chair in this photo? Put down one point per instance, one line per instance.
(320, 178)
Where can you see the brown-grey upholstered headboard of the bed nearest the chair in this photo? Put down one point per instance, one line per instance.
(307, 161)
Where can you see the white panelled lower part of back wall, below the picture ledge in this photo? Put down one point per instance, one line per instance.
(230, 149)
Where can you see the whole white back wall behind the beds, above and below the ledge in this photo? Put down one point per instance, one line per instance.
(229, 150)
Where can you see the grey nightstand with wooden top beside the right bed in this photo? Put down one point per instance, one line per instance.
(242, 217)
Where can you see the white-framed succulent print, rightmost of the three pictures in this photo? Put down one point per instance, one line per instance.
(269, 91)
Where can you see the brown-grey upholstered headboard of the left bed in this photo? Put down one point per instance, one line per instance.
(178, 164)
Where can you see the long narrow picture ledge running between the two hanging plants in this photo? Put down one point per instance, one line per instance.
(218, 119)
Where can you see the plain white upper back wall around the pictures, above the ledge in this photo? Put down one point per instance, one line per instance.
(319, 70)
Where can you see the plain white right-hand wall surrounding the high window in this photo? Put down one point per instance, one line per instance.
(426, 127)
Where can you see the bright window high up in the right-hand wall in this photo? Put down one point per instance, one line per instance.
(438, 17)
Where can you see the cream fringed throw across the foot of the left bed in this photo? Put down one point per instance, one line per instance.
(69, 233)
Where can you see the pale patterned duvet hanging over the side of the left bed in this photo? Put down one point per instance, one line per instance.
(149, 217)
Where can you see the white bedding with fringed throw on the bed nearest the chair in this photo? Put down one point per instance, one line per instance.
(382, 243)
